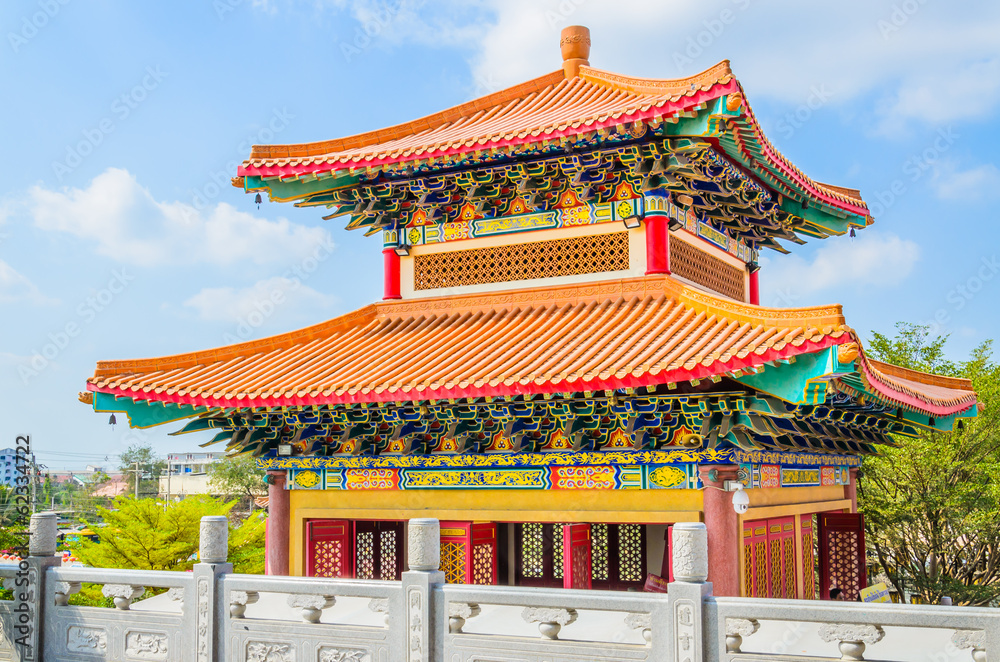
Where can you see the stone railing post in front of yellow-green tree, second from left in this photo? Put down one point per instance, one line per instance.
(209, 606)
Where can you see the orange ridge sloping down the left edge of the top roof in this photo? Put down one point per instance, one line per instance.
(413, 127)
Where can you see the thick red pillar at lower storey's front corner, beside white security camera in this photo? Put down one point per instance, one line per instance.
(723, 526)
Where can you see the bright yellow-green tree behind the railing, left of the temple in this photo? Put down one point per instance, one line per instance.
(147, 534)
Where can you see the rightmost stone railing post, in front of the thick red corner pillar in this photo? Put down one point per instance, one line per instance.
(689, 551)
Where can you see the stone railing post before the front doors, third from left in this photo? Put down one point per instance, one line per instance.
(422, 640)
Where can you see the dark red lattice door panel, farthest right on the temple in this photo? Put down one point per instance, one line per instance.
(842, 554)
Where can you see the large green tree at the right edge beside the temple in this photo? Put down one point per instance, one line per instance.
(932, 504)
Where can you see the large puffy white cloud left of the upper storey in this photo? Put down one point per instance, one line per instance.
(129, 225)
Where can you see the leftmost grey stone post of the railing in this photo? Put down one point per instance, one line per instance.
(29, 586)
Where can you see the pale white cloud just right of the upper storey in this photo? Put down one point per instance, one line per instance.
(871, 259)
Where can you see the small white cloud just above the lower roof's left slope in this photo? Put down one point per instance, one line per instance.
(259, 301)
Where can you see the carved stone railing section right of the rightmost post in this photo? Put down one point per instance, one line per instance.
(854, 629)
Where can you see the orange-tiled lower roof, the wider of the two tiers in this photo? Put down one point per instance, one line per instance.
(612, 335)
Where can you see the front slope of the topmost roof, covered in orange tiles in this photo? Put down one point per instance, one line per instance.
(548, 106)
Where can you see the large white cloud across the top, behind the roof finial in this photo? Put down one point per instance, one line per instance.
(779, 49)
